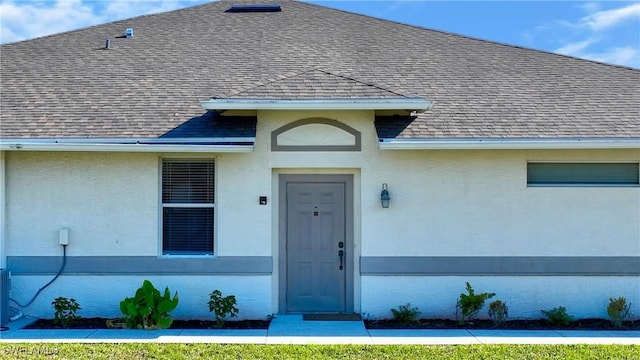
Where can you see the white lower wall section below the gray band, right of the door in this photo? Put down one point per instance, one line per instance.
(436, 296)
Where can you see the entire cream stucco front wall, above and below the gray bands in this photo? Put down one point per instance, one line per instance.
(443, 203)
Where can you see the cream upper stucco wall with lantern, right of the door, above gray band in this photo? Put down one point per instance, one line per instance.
(477, 203)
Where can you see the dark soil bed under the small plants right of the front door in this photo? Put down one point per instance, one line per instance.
(582, 324)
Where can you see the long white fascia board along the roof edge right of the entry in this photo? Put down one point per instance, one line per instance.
(507, 144)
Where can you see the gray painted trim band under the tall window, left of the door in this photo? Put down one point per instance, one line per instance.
(134, 265)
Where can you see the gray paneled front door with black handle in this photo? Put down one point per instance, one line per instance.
(316, 249)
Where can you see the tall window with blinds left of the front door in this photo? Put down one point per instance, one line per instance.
(188, 203)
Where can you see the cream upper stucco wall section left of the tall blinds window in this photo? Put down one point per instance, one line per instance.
(108, 201)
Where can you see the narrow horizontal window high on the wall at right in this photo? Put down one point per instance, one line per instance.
(582, 174)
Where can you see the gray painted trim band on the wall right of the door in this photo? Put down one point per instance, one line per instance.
(499, 265)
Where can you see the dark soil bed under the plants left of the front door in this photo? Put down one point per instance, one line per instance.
(101, 323)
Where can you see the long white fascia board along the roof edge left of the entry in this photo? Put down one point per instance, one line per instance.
(129, 145)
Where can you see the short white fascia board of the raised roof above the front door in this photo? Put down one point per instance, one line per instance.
(412, 104)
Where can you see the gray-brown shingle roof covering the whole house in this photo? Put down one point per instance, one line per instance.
(67, 86)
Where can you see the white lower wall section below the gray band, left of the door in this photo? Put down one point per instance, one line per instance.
(101, 295)
